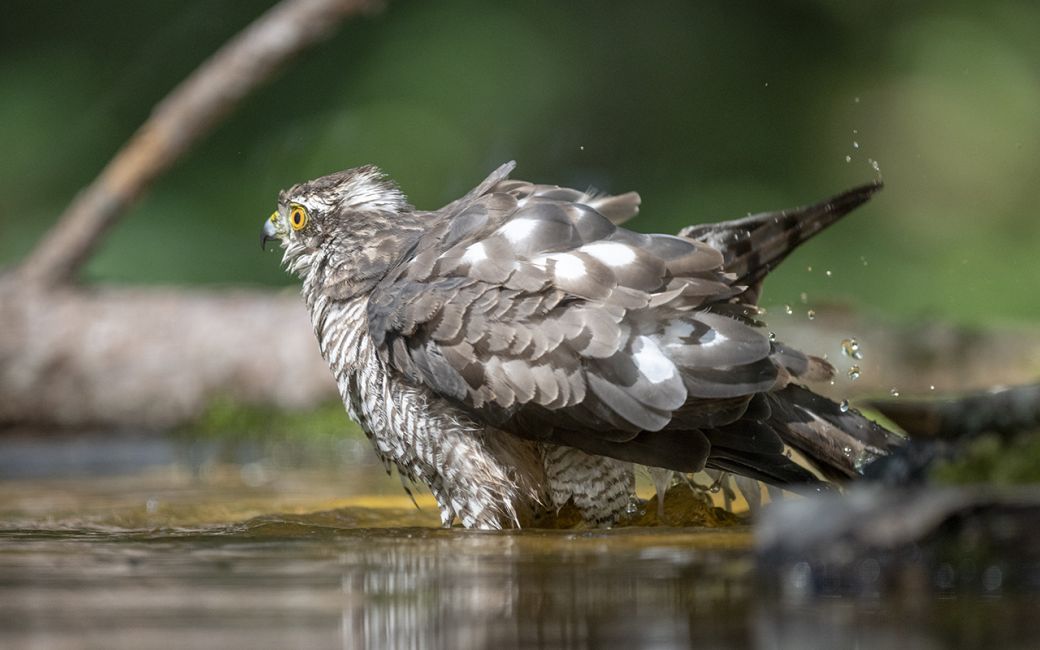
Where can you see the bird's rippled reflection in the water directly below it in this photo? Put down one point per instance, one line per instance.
(466, 591)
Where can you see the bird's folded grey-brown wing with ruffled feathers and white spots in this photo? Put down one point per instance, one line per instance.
(532, 309)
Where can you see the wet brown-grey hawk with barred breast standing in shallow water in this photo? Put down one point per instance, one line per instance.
(517, 350)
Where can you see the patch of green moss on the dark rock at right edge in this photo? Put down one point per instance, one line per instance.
(994, 460)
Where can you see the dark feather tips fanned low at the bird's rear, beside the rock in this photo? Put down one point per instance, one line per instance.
(839, 443)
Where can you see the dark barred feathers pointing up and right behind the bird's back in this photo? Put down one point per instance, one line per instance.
(752, 247)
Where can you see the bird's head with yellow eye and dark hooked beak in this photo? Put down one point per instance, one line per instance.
(346, 225)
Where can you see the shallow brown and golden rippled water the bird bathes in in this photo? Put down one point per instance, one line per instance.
(134, 542)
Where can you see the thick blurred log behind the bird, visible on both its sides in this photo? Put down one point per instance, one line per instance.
(158, 357)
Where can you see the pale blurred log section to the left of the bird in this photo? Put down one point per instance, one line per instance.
(153, 357)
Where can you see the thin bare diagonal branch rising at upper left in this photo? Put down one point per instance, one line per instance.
(185, 117)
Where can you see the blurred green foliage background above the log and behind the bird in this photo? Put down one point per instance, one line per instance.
(711, 110)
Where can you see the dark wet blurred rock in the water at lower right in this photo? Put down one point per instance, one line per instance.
(876, 540)
